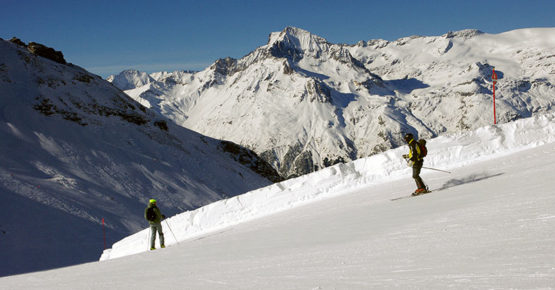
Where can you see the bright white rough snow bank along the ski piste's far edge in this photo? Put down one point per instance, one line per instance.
(446, 152)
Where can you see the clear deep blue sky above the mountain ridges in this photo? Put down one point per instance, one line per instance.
(106, 37)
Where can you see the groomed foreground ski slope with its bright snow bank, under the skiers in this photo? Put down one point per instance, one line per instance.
(488, 225)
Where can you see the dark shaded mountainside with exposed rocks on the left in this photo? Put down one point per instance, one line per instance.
(76, 150)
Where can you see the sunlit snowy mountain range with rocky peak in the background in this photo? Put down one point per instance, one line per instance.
(303, 103)
